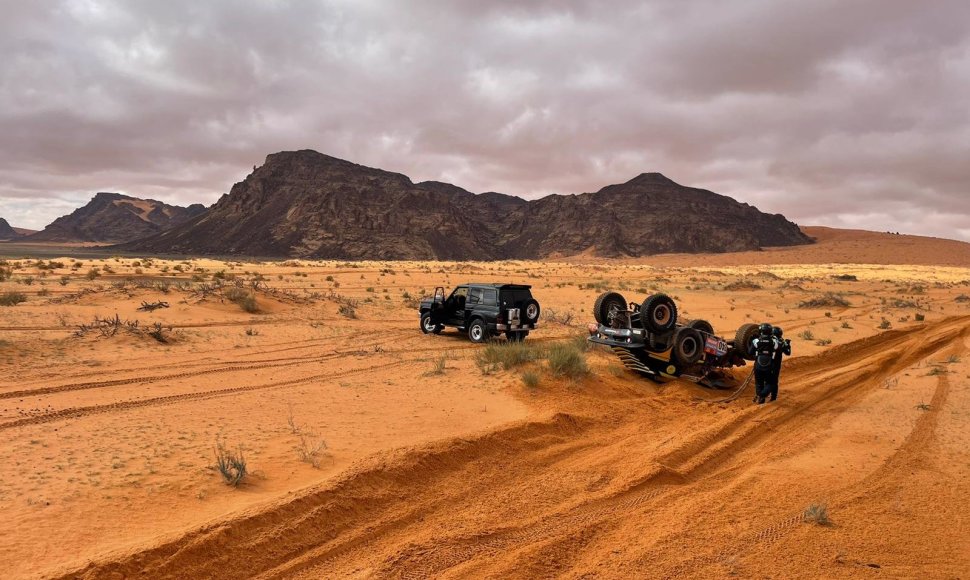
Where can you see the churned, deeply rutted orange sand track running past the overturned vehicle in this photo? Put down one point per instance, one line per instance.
(456, 507)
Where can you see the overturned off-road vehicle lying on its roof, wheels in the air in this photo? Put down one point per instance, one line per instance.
(649, 339)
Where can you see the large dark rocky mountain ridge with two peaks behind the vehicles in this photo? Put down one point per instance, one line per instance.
(306, 204)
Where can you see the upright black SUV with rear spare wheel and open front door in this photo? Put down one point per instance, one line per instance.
(483, 310)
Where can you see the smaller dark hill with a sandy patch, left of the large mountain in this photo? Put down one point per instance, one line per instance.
(114, 218)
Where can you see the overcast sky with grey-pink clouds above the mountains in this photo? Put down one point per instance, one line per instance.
(843, 113)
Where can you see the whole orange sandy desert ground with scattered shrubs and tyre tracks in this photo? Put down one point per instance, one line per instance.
(376, 451)
